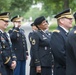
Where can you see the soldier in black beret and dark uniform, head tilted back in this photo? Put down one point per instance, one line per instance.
(41, 58)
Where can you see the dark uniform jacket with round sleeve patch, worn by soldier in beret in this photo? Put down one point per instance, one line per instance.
(40, 49)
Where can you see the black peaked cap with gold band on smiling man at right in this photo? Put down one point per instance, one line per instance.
(66, 13)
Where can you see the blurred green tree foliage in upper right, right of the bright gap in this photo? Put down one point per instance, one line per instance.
(55, 6)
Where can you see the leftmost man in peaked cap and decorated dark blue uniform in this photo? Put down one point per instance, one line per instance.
(6, 52)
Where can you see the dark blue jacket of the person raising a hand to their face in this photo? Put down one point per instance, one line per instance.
(19, 43)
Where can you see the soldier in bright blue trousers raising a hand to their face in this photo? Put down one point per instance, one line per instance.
(19, 45)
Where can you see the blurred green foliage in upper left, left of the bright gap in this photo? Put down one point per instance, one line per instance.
(15, 6)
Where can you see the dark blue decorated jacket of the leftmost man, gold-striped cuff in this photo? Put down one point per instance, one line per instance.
(6, 51)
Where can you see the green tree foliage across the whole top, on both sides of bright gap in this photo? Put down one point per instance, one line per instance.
(50, 7)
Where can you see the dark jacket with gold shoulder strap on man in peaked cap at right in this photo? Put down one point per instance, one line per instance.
(58, 44)
